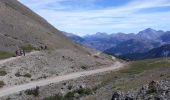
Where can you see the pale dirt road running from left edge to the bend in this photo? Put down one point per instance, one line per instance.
(16, 89)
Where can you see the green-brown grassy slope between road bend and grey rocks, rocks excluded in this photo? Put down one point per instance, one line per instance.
(138, 73)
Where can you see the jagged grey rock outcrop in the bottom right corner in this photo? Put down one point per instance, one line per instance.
(153, 91)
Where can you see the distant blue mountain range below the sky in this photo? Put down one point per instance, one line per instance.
(122, 44)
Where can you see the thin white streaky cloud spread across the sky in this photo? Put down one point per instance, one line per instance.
(116, 19)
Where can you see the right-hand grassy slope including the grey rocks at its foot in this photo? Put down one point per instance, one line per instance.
(139, 80)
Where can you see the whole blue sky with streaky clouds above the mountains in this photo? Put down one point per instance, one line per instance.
(90, 16)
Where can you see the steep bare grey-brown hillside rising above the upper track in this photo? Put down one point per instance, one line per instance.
(19, 26)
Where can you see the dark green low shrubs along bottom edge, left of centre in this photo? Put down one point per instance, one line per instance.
(71, 95)
